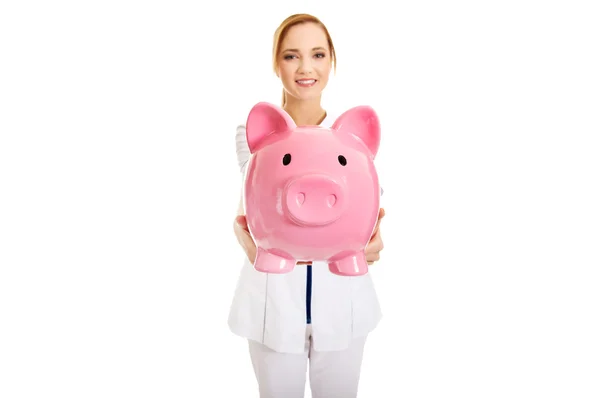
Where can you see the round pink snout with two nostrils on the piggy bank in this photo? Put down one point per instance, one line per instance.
(314, 200)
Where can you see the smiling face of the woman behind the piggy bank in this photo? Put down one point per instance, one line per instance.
(304, 61)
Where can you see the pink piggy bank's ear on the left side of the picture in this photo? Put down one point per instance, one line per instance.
(265, 119)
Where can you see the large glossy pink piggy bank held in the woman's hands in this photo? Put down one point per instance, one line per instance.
(311, 193)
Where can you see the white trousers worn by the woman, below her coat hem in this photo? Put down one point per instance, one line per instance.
(332, 374)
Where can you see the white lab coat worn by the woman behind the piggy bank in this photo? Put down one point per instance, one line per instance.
(271, 308)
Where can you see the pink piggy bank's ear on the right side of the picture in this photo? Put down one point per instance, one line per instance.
(363, 123)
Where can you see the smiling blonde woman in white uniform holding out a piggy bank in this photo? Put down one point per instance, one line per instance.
(287, 318)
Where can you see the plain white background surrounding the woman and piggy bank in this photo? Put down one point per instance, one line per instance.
(119, 185)
